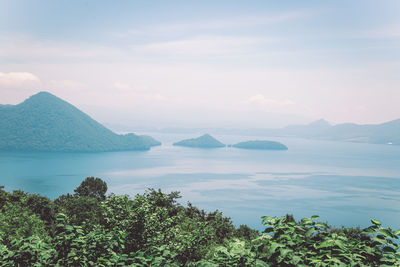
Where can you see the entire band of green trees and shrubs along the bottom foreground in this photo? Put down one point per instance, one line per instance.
(89, 228)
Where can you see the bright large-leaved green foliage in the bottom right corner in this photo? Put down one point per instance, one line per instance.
(309, 242)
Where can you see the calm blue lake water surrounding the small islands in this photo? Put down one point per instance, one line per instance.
(345, 183)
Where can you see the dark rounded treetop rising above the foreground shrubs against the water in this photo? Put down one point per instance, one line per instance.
(92, 187)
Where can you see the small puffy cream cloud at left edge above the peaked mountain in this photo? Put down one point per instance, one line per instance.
(18, 80)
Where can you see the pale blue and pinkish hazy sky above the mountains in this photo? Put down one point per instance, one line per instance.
(239, 64)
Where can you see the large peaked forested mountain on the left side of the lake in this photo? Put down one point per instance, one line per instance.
(45, 122)
